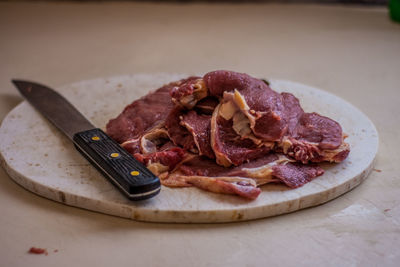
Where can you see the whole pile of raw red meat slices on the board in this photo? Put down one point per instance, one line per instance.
(229, 133)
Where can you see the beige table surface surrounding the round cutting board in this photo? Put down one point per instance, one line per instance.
(353, 52)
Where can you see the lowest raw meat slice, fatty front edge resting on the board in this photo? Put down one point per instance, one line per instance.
(241, 180)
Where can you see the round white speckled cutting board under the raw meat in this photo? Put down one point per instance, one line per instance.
(41, 159)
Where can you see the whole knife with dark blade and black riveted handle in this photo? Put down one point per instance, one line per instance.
(114, 162)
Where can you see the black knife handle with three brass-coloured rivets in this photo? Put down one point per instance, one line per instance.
(115, 163)
